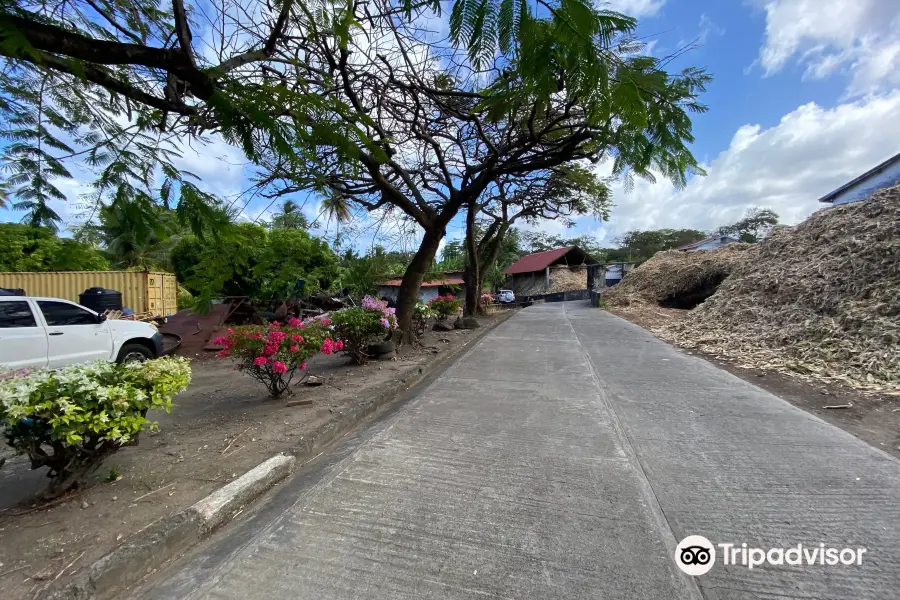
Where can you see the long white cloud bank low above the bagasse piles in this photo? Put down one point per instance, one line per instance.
(812, 151)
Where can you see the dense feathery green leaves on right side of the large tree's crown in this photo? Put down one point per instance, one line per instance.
(592, 56)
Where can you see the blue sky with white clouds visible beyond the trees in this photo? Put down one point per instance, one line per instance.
(806, 96)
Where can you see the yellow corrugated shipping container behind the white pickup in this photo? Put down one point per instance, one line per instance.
(142, 292)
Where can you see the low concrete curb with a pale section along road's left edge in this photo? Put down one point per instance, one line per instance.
(157, 543)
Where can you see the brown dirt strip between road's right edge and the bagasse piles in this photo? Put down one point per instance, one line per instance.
(873, 418)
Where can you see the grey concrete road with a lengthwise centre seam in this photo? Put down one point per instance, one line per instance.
(564, 457)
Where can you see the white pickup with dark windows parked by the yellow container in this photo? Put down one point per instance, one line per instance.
(50, 332)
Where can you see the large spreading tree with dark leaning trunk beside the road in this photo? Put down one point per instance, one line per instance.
(441, 128)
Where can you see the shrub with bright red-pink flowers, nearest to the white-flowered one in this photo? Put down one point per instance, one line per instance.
(274, 353)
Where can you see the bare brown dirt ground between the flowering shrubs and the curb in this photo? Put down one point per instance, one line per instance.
(221, 426)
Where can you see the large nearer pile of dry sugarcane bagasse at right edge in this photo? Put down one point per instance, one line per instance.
(820, 300)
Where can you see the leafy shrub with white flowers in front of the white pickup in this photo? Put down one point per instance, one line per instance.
(71, 419)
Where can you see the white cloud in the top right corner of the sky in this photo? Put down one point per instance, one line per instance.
(859, 37)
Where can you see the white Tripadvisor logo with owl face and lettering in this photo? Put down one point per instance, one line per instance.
(696, 555)
